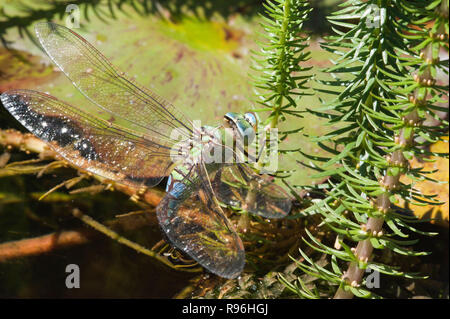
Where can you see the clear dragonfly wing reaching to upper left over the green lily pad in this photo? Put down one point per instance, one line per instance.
(108, 88)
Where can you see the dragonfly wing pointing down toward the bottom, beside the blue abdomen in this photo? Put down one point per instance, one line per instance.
(194, 222)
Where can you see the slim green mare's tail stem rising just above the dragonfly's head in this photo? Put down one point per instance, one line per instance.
(278, 72)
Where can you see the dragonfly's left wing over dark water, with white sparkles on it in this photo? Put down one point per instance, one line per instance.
(88, 142)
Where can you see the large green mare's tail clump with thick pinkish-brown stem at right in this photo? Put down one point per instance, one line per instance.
(384, 83)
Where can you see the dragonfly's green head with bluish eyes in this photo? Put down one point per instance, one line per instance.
(243, 125)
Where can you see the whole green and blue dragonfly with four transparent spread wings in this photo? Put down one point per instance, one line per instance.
(133, 144)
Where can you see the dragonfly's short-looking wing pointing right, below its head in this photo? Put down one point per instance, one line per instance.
(241, 187)
